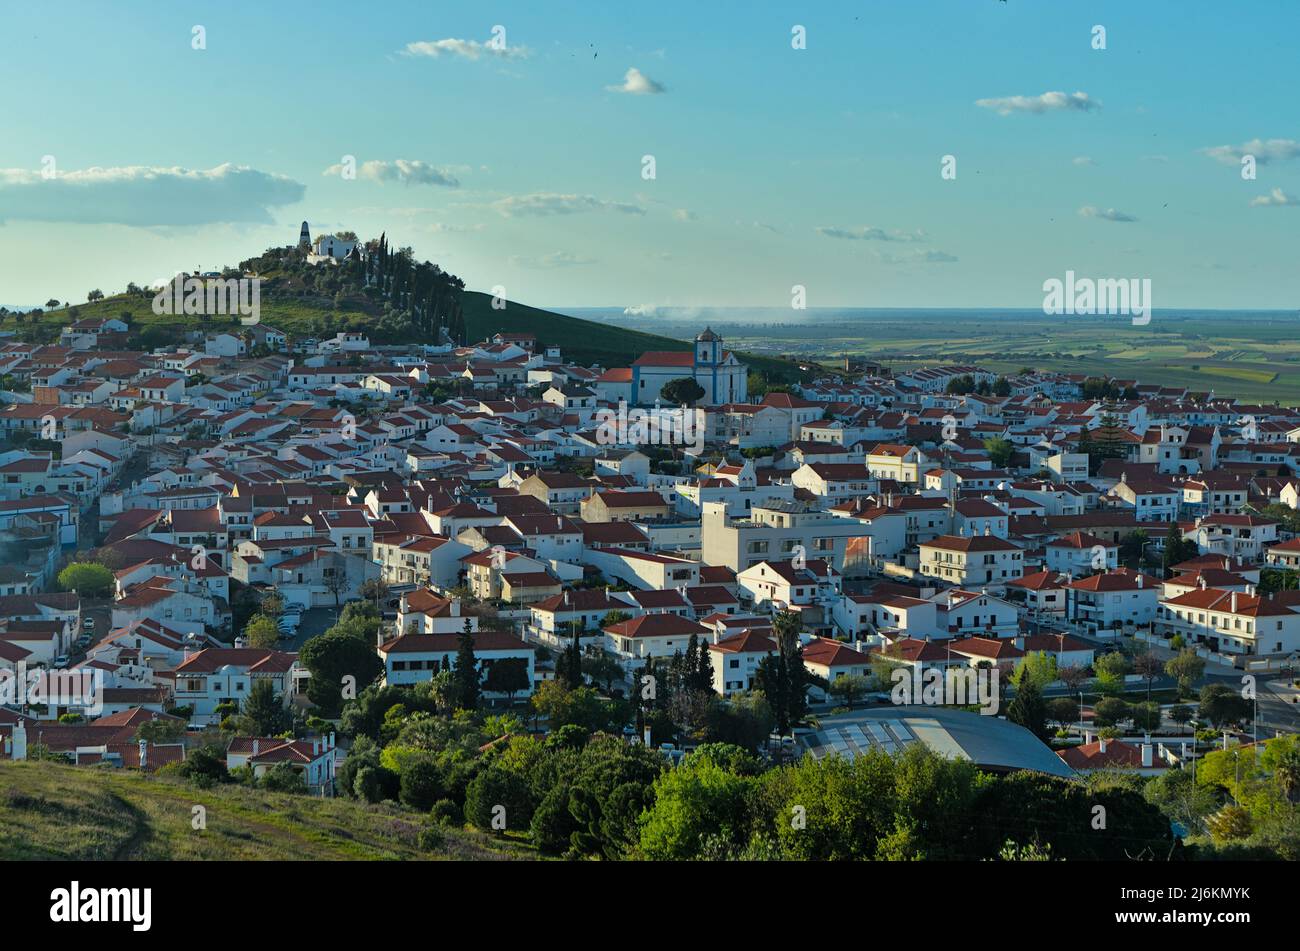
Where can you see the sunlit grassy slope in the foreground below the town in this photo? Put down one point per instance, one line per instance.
(51, 811)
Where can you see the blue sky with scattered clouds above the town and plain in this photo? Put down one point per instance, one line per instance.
(509, 144)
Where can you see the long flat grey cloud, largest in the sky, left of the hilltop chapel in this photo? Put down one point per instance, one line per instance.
(148, 197)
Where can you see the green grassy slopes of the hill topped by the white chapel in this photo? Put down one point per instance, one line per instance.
(586, 342)
